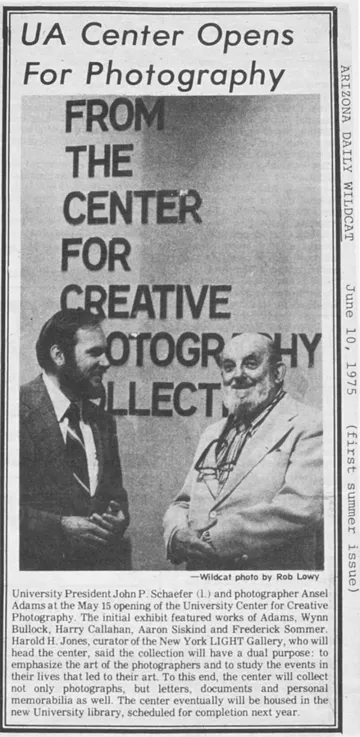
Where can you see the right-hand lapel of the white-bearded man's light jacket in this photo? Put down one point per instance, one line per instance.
(274, 428)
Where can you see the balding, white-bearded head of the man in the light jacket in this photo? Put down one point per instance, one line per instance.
(252, 373)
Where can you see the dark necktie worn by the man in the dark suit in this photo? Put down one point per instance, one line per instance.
(75, 448)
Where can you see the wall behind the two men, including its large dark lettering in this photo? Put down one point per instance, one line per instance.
(181, 220)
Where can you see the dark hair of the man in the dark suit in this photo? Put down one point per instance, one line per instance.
(61, 330)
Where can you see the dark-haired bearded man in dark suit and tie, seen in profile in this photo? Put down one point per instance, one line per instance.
(73, 507)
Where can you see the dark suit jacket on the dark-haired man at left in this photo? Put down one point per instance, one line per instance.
(49, 491)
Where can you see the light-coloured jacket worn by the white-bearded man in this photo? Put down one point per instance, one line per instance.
(269, 513)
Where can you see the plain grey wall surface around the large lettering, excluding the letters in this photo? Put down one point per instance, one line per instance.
(256, 163)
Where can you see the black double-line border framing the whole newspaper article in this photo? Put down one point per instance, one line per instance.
(332, 11)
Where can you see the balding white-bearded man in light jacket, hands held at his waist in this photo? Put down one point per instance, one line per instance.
(253, 498)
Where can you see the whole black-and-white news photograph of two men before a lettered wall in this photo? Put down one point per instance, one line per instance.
(192, 238)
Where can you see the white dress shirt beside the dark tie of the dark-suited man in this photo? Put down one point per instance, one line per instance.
(61, 404)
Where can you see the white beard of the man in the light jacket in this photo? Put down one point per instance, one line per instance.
(243, 403)
